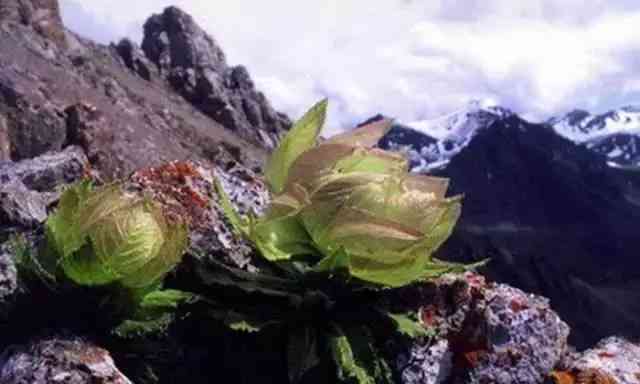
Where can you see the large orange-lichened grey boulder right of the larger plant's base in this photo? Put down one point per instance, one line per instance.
(491, 333)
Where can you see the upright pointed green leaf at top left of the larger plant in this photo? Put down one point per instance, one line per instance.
(300, 138)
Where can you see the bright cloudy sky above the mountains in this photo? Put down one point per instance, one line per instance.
(409, 59)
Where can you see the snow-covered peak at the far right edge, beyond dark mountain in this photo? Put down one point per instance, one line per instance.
(615, 134)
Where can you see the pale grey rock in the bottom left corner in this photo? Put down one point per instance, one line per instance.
(60, 360)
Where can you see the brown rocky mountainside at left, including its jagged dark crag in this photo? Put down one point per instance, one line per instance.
(128, 107)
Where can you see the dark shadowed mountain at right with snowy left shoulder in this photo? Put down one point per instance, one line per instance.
(552, 215)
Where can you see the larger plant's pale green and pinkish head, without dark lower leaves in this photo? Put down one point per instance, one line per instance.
(345, 205)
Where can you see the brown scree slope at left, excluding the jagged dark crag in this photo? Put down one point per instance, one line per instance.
(53, 95)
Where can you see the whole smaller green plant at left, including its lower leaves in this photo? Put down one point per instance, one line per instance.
(107, 238)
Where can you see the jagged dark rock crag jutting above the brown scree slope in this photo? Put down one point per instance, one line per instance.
(196, 67)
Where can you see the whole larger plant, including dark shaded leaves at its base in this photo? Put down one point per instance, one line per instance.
(346, 227)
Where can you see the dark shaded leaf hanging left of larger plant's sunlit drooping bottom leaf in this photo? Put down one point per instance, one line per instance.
(302, 354)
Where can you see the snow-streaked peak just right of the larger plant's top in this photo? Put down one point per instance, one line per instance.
(430, 144)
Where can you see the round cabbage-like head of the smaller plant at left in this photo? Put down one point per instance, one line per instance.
(104, 235)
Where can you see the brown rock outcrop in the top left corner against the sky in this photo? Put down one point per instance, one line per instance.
(42, 15)
